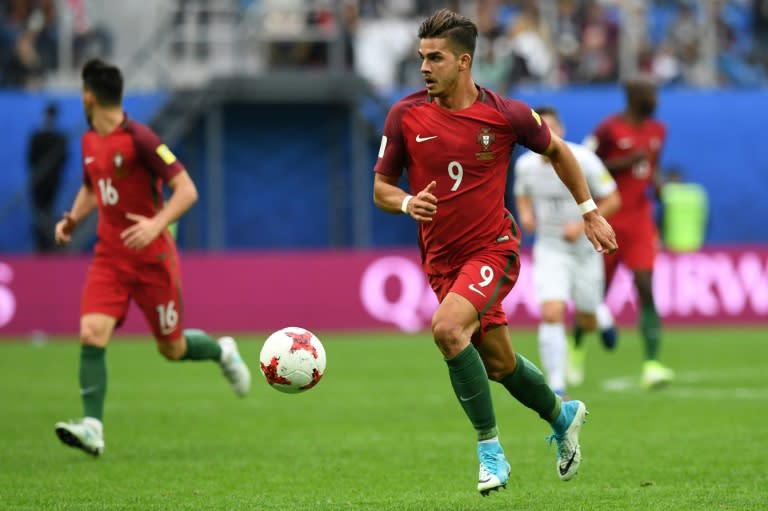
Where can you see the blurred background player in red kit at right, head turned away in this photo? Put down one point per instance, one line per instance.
(629, 144)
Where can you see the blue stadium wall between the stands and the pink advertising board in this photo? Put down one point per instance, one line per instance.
(288, 177)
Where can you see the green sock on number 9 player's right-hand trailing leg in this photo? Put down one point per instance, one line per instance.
(526, 383)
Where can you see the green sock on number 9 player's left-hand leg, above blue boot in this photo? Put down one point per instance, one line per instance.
(470, 383)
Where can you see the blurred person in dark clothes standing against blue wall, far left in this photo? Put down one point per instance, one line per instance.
(46, 156)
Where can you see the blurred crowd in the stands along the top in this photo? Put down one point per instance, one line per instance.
(522, 42)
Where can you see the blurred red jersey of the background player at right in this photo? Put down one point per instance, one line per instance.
(615, 137)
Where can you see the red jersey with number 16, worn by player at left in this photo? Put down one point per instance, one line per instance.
(126, 170)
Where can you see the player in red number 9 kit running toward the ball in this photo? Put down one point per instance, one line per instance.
(455, 140)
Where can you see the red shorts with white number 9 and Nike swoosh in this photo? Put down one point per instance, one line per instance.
(484, 280)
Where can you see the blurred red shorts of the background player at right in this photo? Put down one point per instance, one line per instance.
(638, 244)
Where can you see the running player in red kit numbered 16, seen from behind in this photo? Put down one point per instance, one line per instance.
(124, 168)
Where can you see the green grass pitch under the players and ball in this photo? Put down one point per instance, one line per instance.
(383, 431)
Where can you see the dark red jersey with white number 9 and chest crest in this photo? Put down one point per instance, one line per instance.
(467, 154)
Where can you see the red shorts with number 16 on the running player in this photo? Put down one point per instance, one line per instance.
(156, 287)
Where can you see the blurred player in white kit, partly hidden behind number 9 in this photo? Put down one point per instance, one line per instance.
(565, 265)
